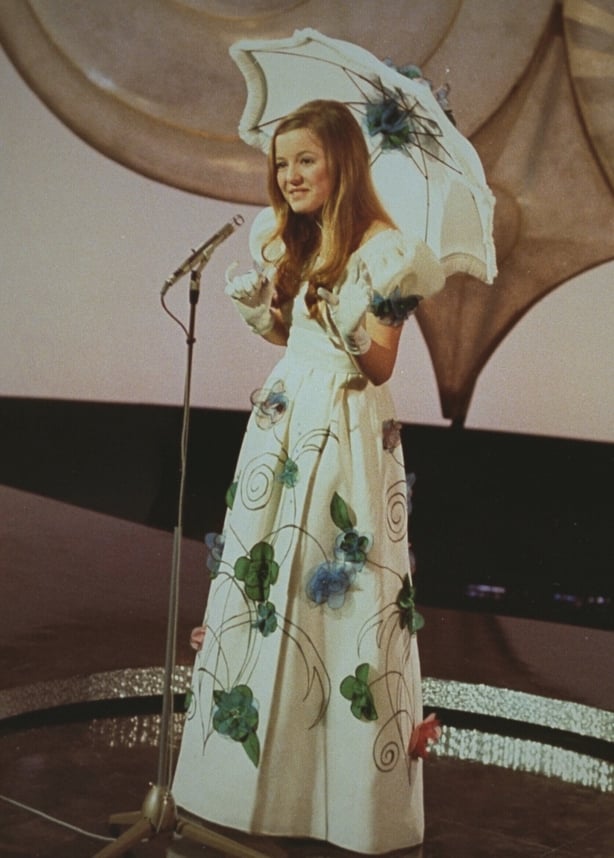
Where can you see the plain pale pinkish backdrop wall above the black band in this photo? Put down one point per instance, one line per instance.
(87, 245)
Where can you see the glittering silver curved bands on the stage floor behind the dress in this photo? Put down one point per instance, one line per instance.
(465, 744)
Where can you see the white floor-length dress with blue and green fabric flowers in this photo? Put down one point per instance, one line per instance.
(307, 687)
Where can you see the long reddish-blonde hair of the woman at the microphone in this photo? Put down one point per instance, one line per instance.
(352, 207)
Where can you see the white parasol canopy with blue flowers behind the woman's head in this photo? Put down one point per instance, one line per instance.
(428, 175)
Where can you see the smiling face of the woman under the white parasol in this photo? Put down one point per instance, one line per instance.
(302, 171)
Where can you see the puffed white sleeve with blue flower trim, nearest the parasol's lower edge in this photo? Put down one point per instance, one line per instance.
(403, 272)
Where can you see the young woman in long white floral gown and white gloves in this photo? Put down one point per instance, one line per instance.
(306, 689)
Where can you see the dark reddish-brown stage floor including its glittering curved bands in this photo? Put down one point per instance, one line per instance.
(525, 766)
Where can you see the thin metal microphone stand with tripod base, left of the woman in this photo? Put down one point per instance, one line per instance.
(158, 814)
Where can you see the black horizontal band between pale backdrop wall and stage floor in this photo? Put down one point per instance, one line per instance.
(513, 524)
